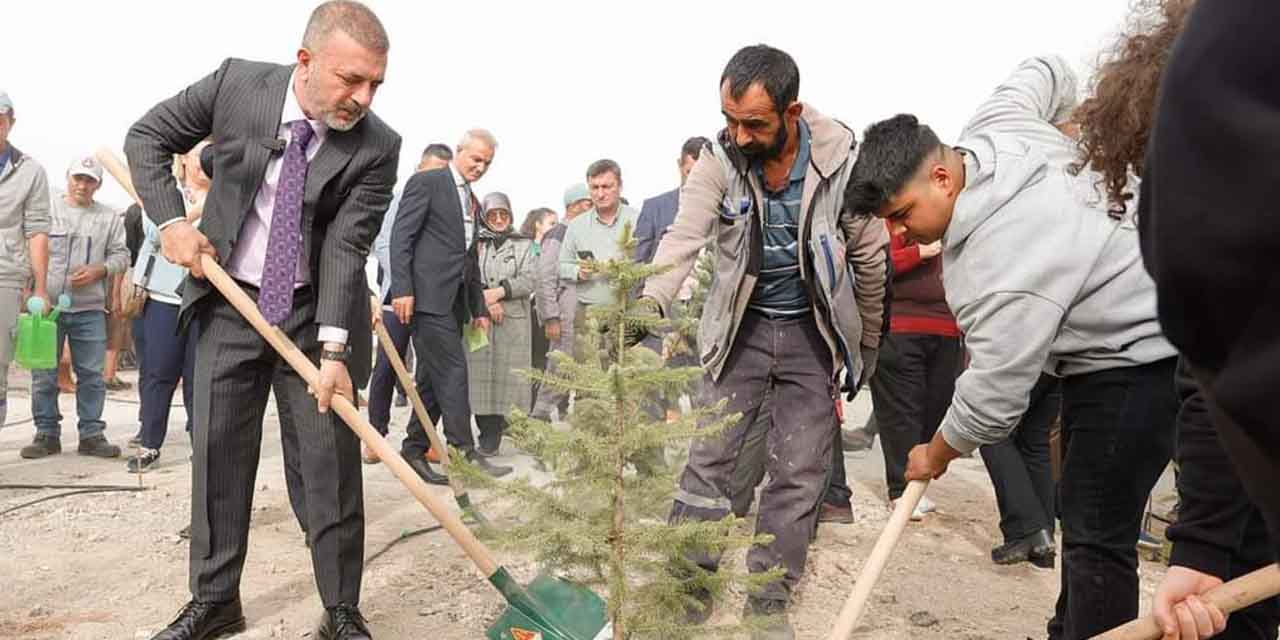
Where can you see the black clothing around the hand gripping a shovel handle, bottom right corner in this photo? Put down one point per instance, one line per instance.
(1219, 531)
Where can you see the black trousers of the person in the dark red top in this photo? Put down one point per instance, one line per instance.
(912, 391)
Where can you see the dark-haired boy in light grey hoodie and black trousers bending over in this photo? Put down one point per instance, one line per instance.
(1043, 278)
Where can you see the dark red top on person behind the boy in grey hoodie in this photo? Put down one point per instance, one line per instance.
(920, 303)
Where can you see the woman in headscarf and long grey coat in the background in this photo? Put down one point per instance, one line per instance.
(508, 275)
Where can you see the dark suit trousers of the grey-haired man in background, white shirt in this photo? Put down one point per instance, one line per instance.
(442, 367)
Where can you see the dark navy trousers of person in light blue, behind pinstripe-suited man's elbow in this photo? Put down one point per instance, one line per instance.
(167, 358)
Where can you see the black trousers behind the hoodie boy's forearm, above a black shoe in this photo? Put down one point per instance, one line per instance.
(1021, 468)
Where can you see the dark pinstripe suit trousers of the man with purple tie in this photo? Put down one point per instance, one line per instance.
(236, 371)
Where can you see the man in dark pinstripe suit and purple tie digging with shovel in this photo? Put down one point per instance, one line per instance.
(303, 176)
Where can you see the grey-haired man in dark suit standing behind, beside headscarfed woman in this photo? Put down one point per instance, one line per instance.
(436, 285)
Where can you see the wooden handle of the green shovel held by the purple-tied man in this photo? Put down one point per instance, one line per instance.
(473, 547)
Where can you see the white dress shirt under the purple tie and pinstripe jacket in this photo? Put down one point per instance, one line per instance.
(250, 253)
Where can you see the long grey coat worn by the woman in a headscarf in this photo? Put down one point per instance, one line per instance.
(493, 377)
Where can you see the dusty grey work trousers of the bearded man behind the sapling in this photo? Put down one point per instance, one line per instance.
(792, 363)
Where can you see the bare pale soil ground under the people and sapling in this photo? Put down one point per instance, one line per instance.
(112, 566)
